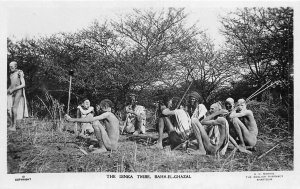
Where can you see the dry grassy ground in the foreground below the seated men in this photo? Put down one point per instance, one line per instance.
(37, 147)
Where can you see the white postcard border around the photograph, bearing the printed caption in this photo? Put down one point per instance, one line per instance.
(199, 180)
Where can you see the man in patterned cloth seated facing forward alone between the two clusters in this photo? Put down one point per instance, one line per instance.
(136, 117)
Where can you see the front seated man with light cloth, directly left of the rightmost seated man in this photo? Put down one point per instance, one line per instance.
(212, 133)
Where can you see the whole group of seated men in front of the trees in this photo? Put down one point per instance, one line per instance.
(211, 130)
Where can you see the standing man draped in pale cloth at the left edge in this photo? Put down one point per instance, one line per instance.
(16, 100)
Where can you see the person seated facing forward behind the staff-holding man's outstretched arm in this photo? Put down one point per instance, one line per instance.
(85, 110)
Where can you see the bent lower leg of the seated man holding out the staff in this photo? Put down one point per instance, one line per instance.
(102, 137)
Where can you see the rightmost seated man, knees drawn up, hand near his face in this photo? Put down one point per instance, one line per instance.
(244, 125)
